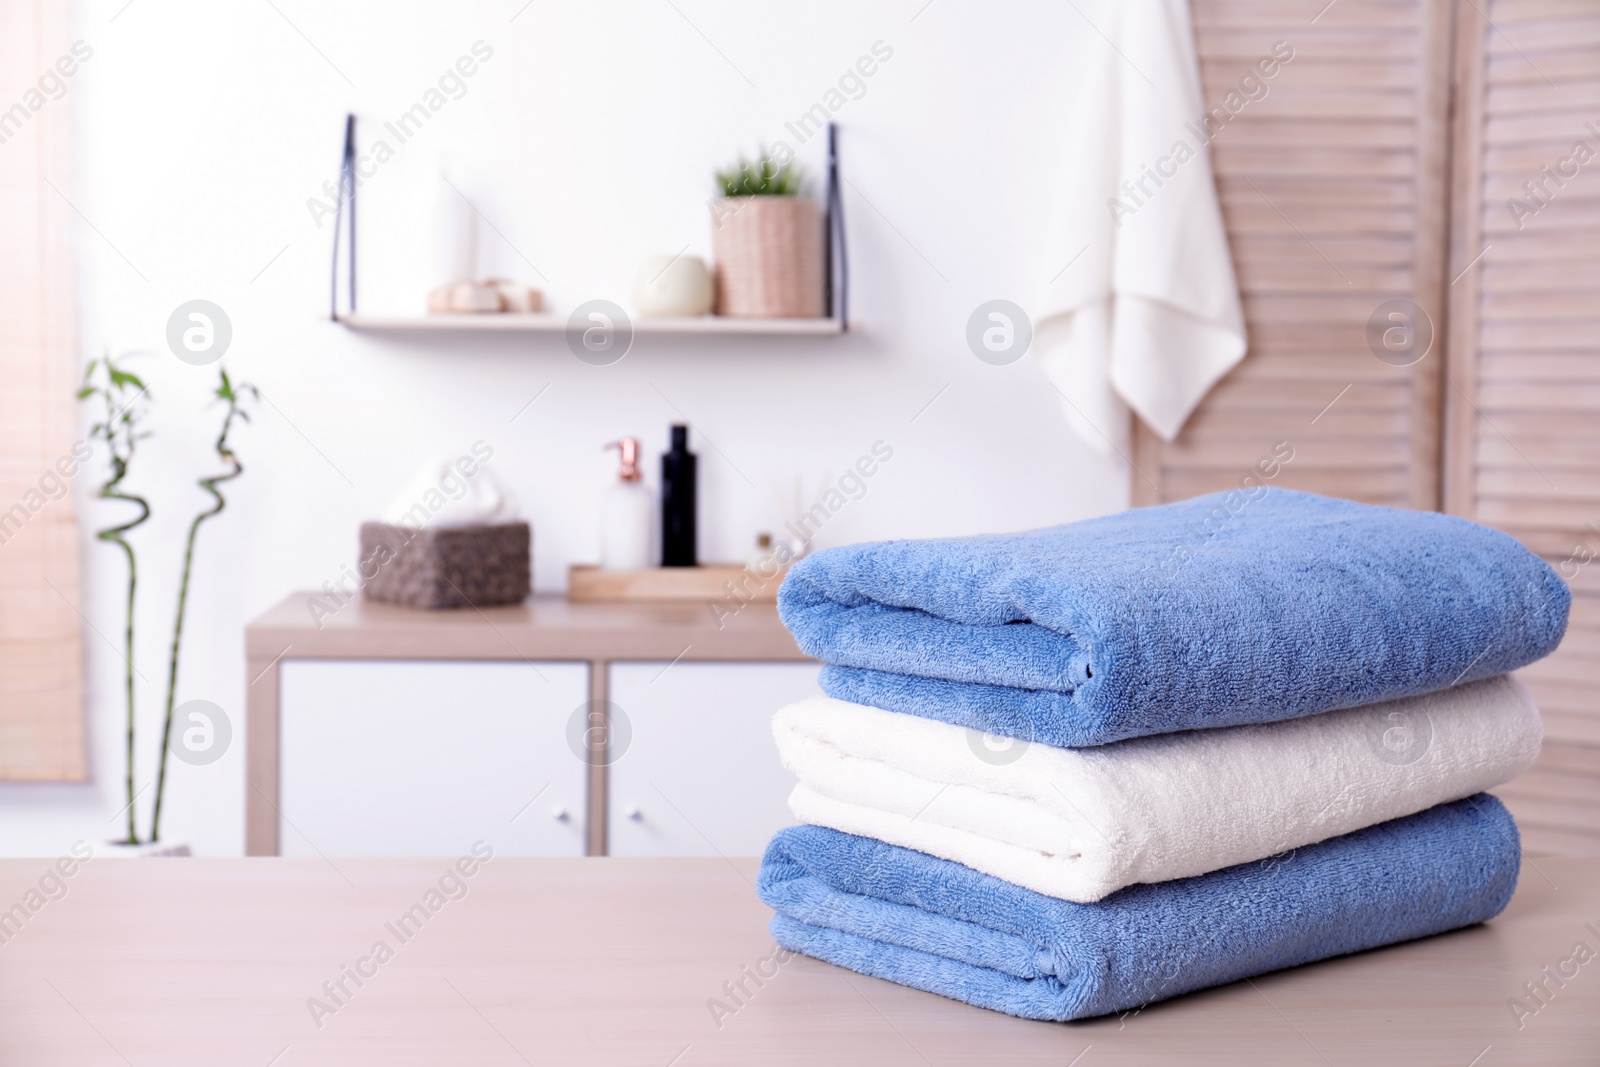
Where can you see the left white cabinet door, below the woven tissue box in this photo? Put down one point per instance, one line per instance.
(423, 759)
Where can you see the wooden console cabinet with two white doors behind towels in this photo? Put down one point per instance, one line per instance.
(383, 730)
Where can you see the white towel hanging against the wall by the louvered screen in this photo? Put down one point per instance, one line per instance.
(1143, 311)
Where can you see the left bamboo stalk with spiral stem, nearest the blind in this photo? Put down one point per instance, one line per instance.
(121, 393)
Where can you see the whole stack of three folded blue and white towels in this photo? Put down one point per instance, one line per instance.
(1079, 770)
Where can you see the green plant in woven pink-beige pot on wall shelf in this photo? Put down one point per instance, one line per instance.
(767, 239)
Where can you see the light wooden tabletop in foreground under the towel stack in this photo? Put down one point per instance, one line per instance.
(204, 962)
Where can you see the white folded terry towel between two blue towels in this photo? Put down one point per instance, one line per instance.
(1084, 823)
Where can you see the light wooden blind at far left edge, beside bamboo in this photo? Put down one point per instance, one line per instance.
(41, 653)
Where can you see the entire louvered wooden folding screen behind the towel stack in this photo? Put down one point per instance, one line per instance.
(1446, 154)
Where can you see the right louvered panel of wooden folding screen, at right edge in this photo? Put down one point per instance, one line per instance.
(1522, 399)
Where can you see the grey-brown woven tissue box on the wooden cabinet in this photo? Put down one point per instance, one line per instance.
(450, 567)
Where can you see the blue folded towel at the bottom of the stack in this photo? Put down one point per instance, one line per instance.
(924, 922)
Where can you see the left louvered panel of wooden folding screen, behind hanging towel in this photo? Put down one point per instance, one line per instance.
(1334, 190)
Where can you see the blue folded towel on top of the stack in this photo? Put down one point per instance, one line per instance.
(1233, 609)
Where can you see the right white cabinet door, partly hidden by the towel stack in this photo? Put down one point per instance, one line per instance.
(700, 775)
